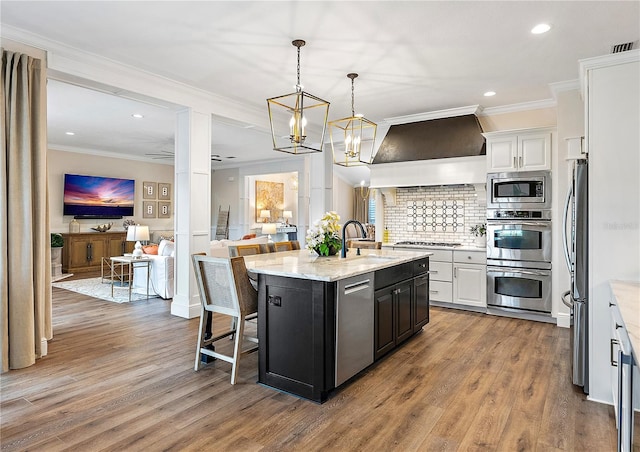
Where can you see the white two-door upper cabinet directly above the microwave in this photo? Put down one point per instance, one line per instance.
(518, 150)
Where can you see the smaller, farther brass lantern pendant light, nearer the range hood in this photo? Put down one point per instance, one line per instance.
(352, 138)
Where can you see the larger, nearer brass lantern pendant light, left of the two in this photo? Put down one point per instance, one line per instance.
(298, 120)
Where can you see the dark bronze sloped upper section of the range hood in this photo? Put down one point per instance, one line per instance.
(459, 136)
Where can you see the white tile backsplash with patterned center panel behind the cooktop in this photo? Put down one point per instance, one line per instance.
(434, 214)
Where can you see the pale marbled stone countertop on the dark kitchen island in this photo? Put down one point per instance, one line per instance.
(305, 264)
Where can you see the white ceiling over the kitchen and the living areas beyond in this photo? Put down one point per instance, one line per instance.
(412, 57)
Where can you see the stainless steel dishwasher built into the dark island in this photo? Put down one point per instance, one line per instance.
(354, 326)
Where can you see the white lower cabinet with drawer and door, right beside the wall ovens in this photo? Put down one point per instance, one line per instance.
(470, 278)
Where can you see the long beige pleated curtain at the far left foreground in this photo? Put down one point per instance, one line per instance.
(25, 253)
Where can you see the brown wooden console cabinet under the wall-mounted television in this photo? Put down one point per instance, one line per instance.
(83, 252)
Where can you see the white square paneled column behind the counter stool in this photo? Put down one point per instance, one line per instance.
(193, 205)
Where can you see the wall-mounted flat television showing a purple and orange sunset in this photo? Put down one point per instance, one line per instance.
(98, 197)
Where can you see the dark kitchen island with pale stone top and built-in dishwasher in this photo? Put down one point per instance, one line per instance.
(324, 319)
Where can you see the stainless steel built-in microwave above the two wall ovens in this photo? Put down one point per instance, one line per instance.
(521, 190)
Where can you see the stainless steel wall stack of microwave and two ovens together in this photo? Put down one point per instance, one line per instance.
(519, 242)
